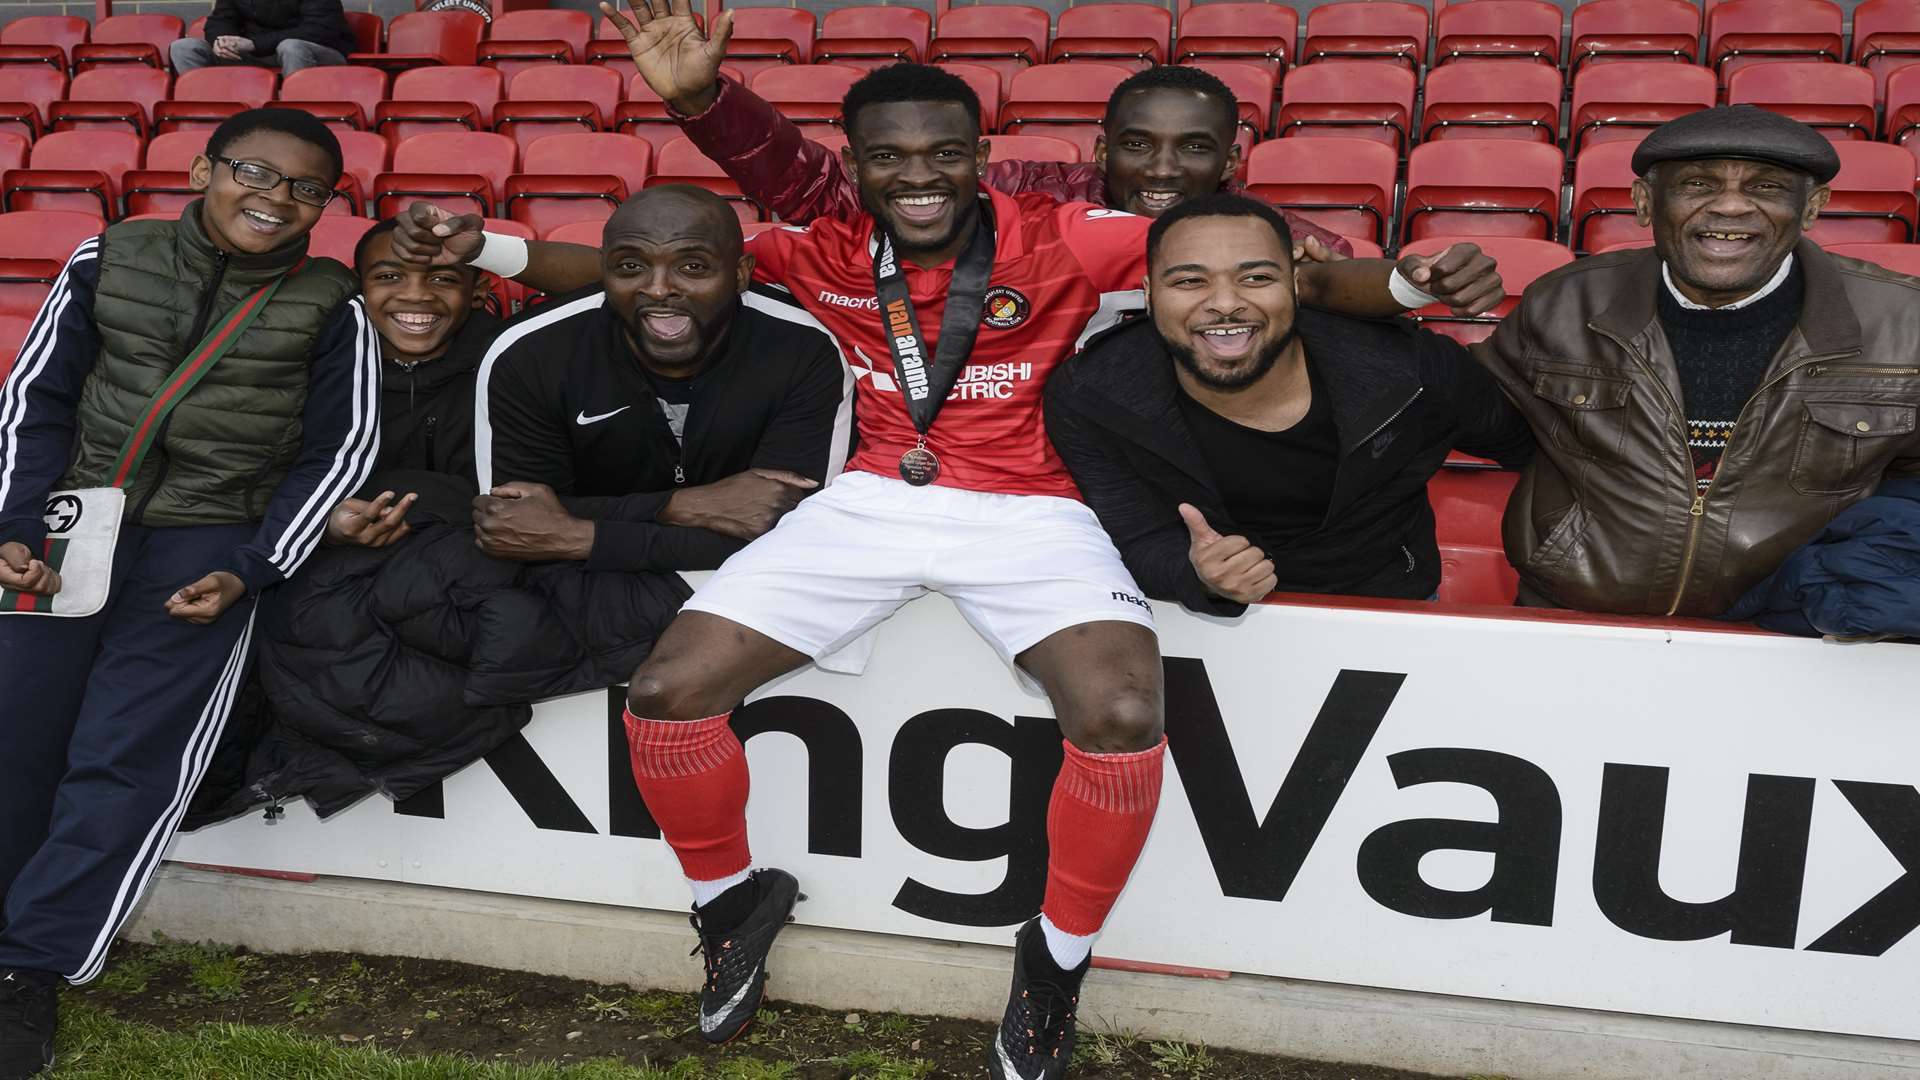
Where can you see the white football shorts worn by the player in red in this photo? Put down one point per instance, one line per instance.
(1019, 568)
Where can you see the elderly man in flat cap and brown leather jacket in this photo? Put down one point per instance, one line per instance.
(1706, 406)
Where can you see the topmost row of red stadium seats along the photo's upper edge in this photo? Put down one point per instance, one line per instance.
(1013, 37)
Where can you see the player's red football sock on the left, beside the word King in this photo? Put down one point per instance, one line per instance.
(694, 777)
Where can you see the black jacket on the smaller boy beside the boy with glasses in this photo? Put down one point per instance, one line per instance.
(427, 408)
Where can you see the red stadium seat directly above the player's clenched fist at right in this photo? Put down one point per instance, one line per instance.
(1479, 187)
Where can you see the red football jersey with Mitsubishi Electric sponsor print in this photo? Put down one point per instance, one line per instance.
(1061, 274)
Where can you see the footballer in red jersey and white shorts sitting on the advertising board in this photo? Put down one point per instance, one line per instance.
(951, 305)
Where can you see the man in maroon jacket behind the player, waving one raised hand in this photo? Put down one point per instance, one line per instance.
(1170, 137)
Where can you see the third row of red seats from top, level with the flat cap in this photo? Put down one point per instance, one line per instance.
(1356, 187)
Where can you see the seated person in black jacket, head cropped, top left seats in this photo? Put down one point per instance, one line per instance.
(270, 34)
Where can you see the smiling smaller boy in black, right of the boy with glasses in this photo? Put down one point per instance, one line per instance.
(433, 337)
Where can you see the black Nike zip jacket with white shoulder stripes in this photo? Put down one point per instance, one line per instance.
(564, 403)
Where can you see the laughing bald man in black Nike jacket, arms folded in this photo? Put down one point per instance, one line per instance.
(663, 418)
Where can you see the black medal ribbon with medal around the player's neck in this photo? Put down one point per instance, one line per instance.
(926, 381)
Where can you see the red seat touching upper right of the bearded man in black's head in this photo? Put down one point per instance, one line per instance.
(1345, 185)
